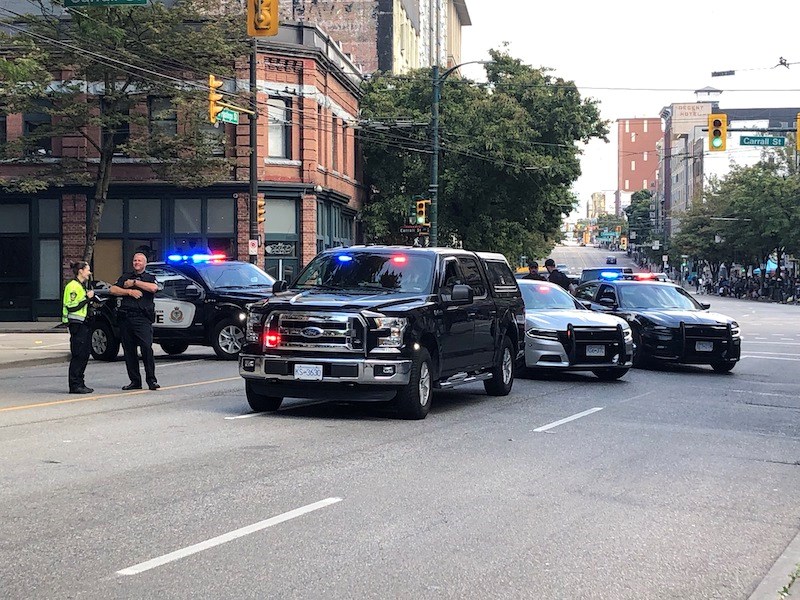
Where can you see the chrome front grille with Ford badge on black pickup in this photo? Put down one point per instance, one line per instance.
(322, 332)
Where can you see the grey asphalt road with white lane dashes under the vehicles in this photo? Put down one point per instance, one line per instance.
(672, 483)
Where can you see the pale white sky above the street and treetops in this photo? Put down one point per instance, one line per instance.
(637, 57)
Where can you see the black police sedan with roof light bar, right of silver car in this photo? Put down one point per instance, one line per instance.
(668, 323)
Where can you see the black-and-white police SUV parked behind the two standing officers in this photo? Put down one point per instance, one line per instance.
(201, 301)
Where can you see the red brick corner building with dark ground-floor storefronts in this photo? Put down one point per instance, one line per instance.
(309, 175)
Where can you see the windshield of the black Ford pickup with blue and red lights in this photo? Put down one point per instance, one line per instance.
(397, 272)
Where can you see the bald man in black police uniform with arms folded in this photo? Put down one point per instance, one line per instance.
(136, 314)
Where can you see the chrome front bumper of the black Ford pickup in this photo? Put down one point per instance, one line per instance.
(355, 370)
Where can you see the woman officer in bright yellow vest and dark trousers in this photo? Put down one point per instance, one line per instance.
(74, 313)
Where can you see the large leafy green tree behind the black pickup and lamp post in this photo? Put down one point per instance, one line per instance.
(509, 154)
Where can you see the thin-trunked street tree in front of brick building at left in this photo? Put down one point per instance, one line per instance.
(122, 56)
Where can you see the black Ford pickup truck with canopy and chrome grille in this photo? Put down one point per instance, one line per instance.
(375, 323)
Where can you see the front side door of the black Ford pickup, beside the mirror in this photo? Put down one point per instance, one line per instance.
(456, 325)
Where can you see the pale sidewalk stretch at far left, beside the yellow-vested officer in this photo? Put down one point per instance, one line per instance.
(33, 343)
